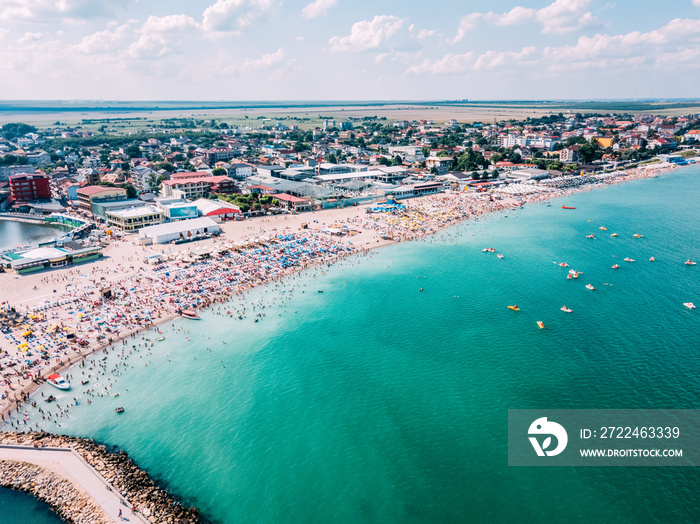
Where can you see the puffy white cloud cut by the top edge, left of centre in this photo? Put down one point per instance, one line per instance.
(236, 15)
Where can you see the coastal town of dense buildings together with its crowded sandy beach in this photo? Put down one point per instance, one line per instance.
(166, 227)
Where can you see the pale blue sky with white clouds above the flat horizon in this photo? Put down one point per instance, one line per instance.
(242, 50)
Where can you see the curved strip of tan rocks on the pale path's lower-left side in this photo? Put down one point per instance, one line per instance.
(71, 504)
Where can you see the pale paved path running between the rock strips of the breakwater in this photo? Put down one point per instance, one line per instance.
(69, 465)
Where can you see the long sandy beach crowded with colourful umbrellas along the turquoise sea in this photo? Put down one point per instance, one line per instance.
(69, 319)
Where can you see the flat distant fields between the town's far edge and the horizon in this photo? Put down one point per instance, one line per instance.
(126, 117)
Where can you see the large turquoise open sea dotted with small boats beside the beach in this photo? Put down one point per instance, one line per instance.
(377, 402)
